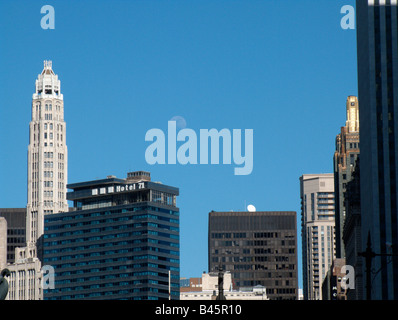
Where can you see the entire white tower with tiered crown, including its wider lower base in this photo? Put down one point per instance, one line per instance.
(47, 179)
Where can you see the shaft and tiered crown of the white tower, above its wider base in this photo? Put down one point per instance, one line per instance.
(47, 153)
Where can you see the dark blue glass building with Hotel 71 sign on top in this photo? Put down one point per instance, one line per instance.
(119, 241)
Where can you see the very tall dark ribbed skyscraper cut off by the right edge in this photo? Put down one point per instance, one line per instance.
(377, 45)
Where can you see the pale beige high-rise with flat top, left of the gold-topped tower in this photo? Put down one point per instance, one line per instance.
(317, 231)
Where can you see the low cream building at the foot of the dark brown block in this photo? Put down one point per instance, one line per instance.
(208, 290)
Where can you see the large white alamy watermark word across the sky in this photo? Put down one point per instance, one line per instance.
(187, 153)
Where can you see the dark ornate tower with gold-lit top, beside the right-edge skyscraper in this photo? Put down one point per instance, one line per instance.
(347, 151)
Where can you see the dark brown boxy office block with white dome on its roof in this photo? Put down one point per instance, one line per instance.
(257, 248)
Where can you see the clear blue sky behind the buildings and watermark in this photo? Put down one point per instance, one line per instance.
(281, 68)
